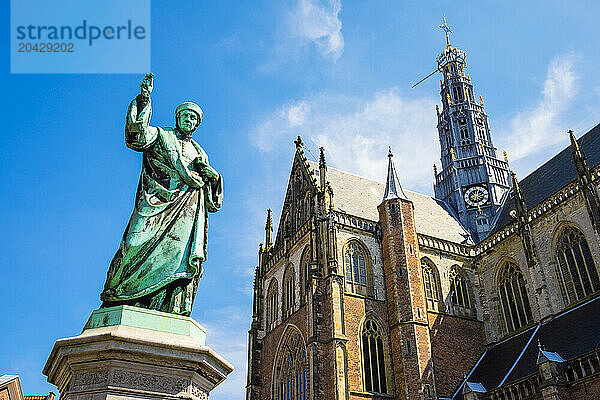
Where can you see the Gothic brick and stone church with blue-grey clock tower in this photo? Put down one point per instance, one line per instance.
(489, 290)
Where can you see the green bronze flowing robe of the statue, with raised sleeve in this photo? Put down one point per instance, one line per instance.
(165, 240)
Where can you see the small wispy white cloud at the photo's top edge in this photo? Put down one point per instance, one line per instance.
(317, 21)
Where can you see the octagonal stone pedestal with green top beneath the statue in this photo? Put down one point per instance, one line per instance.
(132, 353)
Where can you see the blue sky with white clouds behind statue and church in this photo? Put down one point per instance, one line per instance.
(338, 73)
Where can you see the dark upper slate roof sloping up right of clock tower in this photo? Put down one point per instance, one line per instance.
(552, 176)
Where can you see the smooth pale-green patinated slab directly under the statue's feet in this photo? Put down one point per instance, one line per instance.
(147, 319)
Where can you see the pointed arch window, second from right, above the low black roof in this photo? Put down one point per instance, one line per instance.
(513, 297)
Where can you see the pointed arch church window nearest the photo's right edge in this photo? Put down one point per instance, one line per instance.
(578, 275)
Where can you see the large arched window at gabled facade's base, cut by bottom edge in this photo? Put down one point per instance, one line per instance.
(291, 376)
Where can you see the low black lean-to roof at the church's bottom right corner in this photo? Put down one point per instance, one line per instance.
(570, 334)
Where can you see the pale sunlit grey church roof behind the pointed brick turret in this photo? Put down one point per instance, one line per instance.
(358, 196)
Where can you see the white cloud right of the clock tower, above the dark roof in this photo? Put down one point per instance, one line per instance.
(543, 125)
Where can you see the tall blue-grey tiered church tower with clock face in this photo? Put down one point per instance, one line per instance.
(473, 179)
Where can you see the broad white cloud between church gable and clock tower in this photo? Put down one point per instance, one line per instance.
(356, 133)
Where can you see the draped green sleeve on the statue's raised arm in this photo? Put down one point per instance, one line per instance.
(139, 135)
